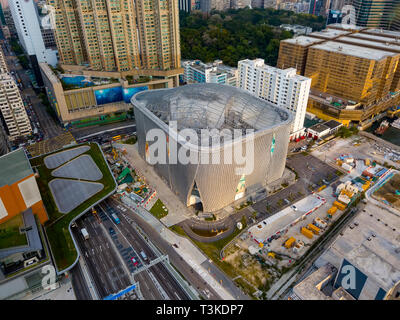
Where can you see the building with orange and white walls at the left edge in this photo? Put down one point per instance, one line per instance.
(23, 250)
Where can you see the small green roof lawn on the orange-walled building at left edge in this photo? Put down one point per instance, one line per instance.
(10, 235)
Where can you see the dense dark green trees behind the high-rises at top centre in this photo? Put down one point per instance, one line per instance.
(239, 34)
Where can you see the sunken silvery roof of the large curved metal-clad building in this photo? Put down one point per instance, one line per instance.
(210, 106)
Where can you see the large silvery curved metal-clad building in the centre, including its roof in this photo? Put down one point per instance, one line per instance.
(204, 107)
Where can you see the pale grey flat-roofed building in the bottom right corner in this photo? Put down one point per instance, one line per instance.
(371, 245)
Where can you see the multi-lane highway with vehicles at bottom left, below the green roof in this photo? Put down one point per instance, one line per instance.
(108, 255)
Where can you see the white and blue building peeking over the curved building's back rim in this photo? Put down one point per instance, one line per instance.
(199, 72)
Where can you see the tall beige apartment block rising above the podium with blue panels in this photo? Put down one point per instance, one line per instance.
(116, 35)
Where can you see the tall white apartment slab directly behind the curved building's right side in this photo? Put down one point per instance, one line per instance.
(283, 88)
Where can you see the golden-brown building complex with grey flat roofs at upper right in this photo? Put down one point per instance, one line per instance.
(355, 73)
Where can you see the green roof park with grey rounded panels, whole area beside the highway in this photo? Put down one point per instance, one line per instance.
(61, 213)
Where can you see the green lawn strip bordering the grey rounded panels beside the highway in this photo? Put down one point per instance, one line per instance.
(61, 243)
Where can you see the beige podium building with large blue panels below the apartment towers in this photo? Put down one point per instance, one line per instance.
(78, 95)
